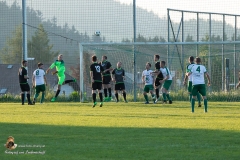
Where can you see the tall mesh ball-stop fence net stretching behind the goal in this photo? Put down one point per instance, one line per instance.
(57, 27)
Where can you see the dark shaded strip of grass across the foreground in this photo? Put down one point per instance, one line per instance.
(76, 142)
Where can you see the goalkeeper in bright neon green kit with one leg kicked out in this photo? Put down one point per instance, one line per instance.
(60, 72)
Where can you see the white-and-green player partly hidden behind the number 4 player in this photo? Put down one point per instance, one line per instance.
(189, 78)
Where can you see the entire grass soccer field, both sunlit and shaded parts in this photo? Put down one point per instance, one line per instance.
(120, 131)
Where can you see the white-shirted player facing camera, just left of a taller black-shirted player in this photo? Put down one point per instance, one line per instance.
(148, 80)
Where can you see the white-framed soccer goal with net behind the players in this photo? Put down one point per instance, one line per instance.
(135, 55)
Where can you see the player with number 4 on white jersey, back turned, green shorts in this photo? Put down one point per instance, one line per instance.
(198, 71)
